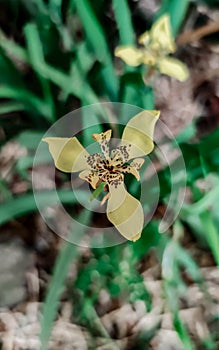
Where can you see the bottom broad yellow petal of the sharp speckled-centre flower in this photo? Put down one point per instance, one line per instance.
(125, 212)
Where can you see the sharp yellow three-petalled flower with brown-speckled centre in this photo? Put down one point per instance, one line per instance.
(123, 210)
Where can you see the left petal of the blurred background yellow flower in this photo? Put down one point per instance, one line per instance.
(130, 55)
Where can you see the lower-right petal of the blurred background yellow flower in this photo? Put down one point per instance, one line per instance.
(174, 68)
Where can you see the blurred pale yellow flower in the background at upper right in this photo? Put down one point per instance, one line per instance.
(157, 43)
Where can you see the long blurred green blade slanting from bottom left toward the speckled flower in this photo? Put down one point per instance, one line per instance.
(67, 255)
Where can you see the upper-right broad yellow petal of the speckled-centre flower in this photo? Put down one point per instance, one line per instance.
(138, 133)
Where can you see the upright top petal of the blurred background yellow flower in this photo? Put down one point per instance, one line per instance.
(161, 35)
